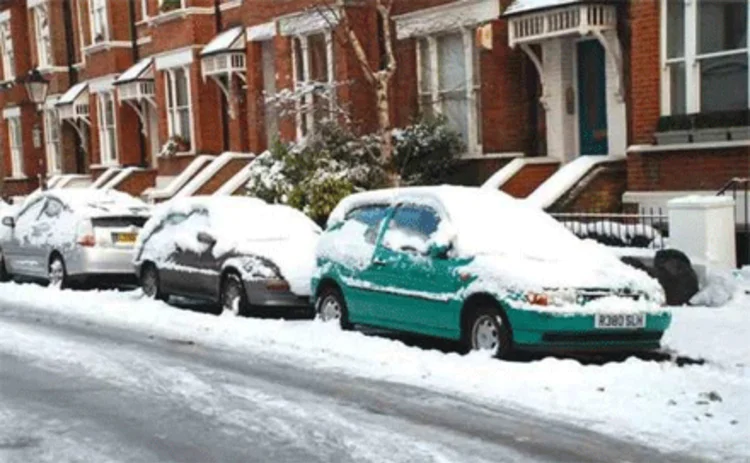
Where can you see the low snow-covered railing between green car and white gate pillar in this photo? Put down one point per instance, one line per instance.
(619, 230)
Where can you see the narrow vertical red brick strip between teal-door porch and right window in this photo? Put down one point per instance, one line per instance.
(645, 70)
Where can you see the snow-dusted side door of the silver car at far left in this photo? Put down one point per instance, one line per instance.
(23, 256)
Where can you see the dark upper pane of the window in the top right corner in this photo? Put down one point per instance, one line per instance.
(722, 25)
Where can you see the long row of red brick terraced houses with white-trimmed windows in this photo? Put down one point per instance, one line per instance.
(168, 97)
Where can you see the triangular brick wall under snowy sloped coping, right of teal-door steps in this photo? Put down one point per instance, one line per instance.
(600, 190)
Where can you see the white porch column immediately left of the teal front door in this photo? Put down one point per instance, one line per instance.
(558, 64)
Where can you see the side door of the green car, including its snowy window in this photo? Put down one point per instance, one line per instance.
(419, 289)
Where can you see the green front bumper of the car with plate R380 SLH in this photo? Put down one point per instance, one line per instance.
(544, 331)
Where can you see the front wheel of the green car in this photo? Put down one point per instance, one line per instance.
(486, 329)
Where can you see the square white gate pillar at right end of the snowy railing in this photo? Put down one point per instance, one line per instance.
(703, 227)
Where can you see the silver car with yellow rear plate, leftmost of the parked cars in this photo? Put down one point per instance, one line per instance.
(71, 236)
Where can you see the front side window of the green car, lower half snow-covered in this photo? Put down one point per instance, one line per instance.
(410, 228)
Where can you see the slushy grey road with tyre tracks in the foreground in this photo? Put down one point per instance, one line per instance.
(78, 392)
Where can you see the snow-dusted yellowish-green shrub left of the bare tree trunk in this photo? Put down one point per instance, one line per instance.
(317, 173)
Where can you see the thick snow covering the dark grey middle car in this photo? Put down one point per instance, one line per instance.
(242, 227)
